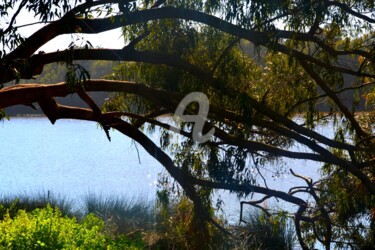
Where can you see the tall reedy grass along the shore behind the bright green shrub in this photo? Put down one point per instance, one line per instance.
(138, 217)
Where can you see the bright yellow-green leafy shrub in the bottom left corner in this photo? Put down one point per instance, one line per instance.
(47, 229)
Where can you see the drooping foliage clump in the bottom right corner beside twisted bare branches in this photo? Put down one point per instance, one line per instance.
(354, 207)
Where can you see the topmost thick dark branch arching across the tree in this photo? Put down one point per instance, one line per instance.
(70, 24)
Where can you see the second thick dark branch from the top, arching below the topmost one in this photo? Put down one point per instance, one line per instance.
(129, 54)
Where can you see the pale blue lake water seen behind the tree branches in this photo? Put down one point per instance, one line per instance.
(74, 158)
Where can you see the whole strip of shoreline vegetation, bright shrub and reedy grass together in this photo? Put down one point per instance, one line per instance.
(48, 222)
